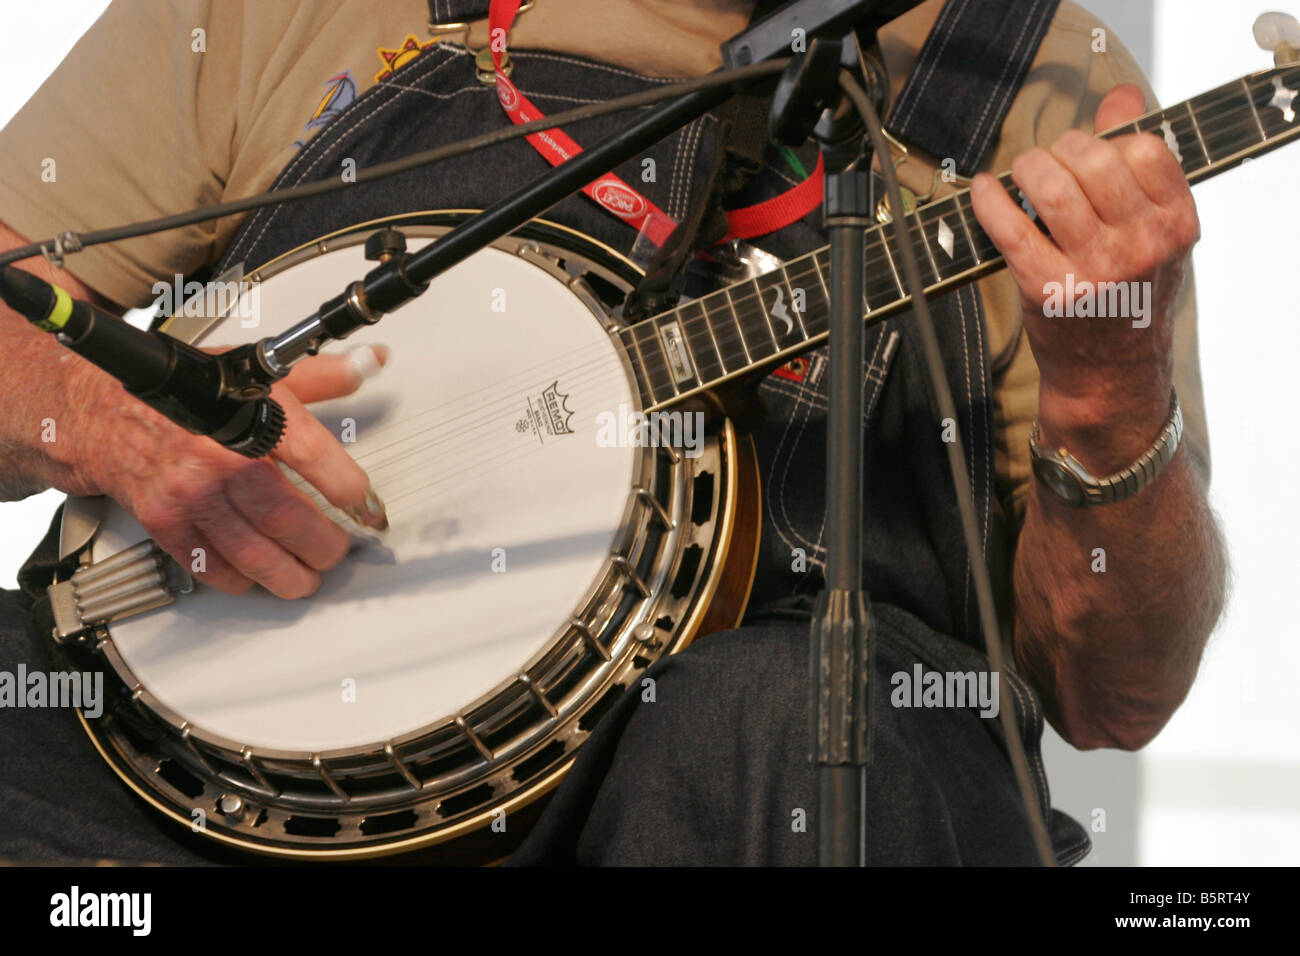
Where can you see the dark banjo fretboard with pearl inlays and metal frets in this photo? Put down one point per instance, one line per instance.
(762, 322)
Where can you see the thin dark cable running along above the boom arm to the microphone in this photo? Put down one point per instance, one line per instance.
(73, 243)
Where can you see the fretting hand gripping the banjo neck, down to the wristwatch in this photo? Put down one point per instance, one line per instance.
(1119, 211)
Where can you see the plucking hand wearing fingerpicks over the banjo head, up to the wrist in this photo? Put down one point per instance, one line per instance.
(189, 492)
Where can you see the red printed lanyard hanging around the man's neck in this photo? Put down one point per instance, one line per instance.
(616, 196)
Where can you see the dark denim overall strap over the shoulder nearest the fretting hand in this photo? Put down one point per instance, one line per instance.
(967, 76)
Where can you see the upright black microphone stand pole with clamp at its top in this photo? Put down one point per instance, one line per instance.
(840, 641)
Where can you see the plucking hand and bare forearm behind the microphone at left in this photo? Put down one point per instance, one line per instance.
(189, 492)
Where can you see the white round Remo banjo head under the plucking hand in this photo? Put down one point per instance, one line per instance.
(480, 435)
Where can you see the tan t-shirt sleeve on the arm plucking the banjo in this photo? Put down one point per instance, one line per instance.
(135, 124)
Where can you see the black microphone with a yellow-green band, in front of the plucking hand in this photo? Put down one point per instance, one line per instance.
(206, 395)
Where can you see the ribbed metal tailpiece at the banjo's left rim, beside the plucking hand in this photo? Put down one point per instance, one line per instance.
(129, 583)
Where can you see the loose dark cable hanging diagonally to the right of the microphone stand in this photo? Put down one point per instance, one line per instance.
(956, 462)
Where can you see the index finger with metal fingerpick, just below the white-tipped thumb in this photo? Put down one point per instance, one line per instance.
(310, 449)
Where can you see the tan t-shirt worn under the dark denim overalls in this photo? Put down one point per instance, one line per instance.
(170, 105)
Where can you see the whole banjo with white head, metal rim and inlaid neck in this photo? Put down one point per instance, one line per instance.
(437, 687)
